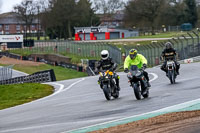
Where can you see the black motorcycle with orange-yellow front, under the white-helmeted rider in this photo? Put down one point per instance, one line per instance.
(108, 84)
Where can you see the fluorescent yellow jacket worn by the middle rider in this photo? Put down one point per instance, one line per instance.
(138, 61)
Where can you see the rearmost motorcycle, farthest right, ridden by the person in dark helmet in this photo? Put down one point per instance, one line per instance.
(171, 71)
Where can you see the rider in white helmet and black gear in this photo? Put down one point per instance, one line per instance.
(106, 63)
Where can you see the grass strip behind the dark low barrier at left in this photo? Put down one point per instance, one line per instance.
(60, 72)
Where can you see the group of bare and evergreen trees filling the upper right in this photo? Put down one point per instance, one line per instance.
(156, 13)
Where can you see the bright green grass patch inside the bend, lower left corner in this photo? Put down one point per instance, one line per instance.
(12, 95)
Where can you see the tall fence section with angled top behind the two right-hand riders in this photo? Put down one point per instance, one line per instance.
(187, 46)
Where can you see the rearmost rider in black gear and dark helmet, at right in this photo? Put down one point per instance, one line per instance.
(169, 53)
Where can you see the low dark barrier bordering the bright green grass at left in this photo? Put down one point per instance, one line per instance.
(38, 77)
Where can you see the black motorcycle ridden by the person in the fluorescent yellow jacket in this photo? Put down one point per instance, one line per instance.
(138, 82)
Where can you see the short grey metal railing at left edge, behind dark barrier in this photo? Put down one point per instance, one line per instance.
(6, 72)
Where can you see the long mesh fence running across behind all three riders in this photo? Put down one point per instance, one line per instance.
(187, 45)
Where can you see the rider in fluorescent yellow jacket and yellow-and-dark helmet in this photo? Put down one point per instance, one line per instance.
(136, 59)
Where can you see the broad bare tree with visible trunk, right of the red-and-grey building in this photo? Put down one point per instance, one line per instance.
(143, 12)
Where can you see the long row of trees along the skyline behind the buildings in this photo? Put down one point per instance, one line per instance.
(59, 17)
